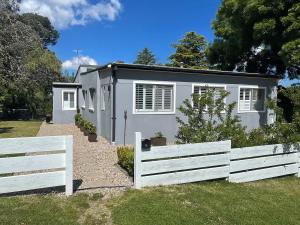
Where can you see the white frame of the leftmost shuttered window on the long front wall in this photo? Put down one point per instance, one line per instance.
(134, 111)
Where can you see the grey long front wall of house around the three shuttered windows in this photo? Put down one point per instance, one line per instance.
(149, 124)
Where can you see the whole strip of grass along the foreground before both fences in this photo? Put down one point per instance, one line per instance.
(274, 202)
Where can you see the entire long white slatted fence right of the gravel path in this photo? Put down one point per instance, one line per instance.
(177, 164)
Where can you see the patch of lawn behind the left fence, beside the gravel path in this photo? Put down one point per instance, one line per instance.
(10, 129)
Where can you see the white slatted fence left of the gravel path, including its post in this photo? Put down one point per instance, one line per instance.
(41, 155)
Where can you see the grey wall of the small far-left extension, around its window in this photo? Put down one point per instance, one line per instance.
(60, 115)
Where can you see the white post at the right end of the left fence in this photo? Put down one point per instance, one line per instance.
(69, 165)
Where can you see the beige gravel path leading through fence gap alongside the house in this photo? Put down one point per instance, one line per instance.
(94, 163)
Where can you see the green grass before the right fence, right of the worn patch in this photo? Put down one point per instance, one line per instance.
(268, 202)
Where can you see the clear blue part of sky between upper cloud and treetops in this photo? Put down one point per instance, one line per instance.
(155, 24)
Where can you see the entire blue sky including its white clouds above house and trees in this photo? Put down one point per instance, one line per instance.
(111, 30)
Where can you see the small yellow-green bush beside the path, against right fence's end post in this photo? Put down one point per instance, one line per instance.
(126, 158)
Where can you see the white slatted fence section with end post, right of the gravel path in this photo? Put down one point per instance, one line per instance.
(179, 164)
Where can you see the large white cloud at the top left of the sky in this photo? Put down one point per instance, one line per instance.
(66, 13)
